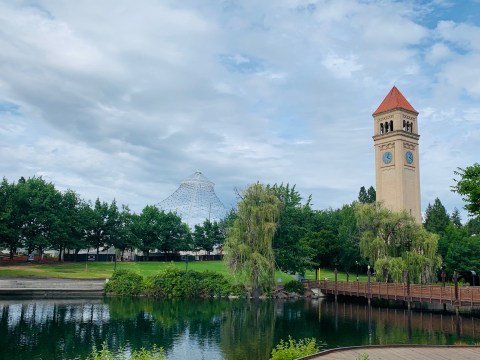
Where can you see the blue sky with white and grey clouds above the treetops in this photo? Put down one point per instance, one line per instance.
(123, 100)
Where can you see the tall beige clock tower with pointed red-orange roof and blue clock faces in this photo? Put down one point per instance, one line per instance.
(396, 154)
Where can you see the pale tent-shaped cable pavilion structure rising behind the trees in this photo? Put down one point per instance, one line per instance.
(195, 201)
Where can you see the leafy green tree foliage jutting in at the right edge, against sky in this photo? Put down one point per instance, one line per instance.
(468, 186)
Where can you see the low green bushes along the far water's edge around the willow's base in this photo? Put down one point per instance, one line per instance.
(173, 283)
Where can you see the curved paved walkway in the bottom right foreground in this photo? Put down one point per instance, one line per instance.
(402, 353)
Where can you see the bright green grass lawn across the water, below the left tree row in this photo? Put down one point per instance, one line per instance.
(102, 270)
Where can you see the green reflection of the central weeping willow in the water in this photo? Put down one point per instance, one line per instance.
(248, 330)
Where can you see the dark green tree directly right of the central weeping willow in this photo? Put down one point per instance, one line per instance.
(291, 254)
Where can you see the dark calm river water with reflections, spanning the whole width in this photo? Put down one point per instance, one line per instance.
(213, 329)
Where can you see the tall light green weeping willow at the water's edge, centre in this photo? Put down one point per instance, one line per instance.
(248, 247)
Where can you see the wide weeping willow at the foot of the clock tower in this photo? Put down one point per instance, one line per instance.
(393, 242)
